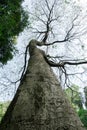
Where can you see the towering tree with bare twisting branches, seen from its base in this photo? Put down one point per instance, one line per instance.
(40, 102)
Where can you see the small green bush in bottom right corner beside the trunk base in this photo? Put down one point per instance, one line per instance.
(83, 116)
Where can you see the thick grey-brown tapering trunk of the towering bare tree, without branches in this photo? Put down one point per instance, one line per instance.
(40, 103)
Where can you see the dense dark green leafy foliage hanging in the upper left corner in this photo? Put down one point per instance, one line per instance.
(13, 19)
